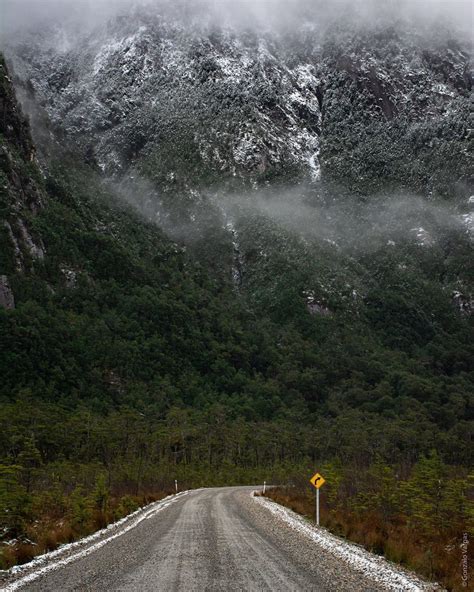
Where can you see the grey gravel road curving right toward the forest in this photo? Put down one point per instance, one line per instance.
(210, 539)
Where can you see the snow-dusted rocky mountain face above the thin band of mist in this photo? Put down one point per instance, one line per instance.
(369, 108)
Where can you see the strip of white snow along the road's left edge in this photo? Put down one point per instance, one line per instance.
(71, 552)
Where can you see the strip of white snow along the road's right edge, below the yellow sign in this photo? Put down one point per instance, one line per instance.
(379, 570)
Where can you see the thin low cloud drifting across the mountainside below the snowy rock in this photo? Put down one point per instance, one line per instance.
(351, 224)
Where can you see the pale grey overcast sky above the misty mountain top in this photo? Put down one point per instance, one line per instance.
(16, 14)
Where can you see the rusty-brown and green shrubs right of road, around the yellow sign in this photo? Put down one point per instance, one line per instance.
(415, 516)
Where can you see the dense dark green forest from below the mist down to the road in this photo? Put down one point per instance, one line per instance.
(127, 363)
